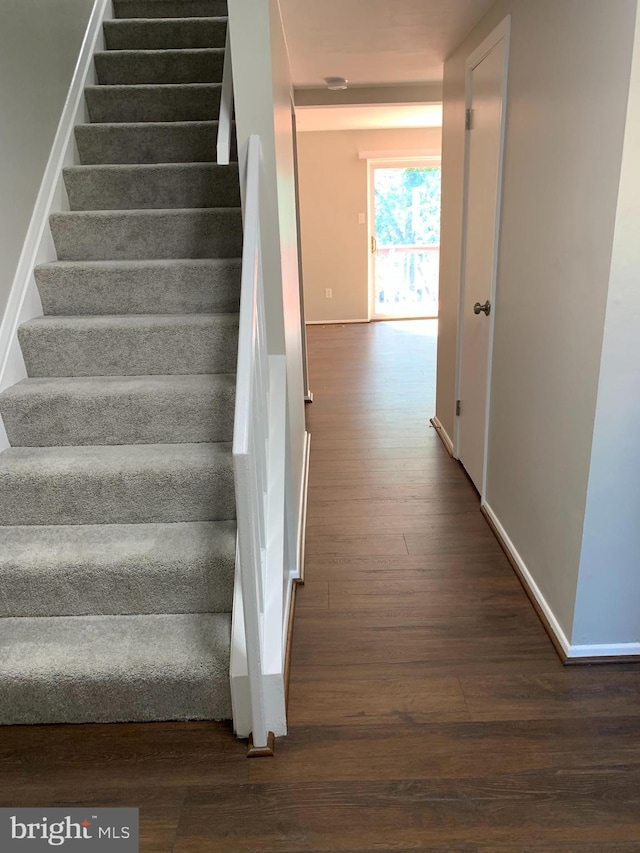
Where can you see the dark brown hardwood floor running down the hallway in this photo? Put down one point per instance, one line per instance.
(428, 708)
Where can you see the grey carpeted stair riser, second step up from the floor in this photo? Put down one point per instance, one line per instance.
(106, 581)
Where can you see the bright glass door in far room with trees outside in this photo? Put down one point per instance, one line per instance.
(404, 216)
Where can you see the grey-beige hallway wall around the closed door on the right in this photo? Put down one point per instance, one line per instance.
(568, 86)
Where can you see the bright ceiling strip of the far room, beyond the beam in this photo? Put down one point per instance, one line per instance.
(368, 117)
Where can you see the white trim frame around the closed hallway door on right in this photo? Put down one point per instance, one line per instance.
(500, 33)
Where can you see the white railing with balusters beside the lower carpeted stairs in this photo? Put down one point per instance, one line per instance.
(259, 473)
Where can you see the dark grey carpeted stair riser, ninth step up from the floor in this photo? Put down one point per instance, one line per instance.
(194, 142)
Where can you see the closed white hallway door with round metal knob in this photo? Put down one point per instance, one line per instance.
(486, 71)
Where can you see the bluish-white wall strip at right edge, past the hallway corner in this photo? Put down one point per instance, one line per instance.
(608, 604)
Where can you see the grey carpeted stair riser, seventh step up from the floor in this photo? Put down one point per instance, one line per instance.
(154, 235)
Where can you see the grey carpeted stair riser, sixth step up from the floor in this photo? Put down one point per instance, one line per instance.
(178, 289)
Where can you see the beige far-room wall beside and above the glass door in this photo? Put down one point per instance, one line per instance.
(333, 191)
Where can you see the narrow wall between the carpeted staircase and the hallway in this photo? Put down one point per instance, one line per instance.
(263, 92)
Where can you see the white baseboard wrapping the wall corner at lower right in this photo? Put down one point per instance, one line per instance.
(573, 653)
